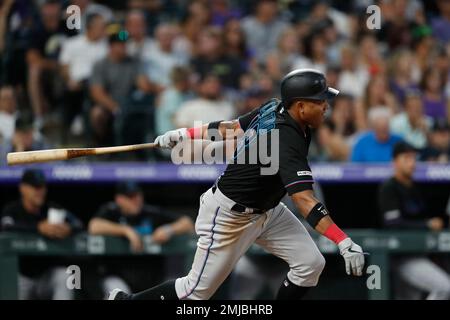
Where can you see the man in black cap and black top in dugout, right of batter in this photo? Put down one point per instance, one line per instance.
(402, 207)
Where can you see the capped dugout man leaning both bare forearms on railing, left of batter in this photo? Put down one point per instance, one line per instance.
(130, 217)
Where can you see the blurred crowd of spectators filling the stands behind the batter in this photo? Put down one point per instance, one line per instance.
(135, 69)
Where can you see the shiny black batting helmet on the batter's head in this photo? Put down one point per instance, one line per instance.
(305, 84)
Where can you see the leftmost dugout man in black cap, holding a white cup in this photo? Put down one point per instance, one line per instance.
(33, 214)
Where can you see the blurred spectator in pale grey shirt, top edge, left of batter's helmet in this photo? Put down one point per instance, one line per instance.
(263, 28)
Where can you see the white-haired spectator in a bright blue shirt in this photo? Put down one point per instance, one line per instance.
(376, 144)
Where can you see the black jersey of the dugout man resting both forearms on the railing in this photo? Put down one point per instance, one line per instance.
(145, 222)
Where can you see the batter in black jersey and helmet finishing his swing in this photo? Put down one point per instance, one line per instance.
(243, 206)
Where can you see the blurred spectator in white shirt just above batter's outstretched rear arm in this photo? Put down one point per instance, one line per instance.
(208, 107)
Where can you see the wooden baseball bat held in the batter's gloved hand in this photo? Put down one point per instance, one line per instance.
(66, 154)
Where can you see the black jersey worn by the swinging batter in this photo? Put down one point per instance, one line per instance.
(244, 183)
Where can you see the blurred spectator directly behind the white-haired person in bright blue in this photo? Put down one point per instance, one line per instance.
(376, 94)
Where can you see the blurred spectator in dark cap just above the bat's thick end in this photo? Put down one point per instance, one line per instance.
(24, 138)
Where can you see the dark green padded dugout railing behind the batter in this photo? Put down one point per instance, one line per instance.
(380, 244)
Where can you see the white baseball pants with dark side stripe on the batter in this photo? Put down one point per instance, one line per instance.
(225, 235)
